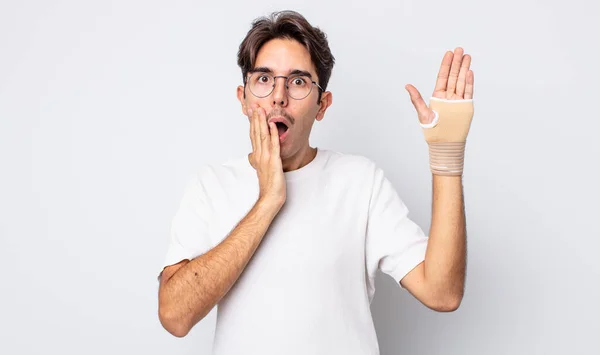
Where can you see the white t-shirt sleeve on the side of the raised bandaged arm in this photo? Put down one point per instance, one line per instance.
(394, 243)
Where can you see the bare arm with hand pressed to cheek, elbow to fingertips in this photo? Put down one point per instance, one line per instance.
(190, 289)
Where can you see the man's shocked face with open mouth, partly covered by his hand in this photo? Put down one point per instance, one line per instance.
(286, 57)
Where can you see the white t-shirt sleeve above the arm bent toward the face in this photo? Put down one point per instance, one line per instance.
(189, 235)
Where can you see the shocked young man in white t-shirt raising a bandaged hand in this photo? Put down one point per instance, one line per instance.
(287, 241)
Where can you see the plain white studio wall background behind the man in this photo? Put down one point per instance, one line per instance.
(107, 107)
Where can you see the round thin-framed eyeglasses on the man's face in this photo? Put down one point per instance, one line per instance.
(298, 86)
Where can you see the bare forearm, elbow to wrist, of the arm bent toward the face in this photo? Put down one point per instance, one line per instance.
(190, 294)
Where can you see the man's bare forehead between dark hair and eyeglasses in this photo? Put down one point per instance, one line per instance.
(283, 56)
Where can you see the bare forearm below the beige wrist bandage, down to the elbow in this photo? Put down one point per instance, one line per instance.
(445, 260)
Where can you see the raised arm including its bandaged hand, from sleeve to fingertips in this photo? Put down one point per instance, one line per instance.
(439, 281)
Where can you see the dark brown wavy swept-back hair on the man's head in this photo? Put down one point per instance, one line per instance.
(289, 25)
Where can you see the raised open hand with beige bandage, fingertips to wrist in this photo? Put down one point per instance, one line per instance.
(447, 119)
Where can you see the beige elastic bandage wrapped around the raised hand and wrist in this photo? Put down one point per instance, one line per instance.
(447, 135)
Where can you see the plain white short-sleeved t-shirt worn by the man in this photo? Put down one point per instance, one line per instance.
(309, 285)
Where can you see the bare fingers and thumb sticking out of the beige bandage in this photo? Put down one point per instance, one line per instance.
(454, 82)
